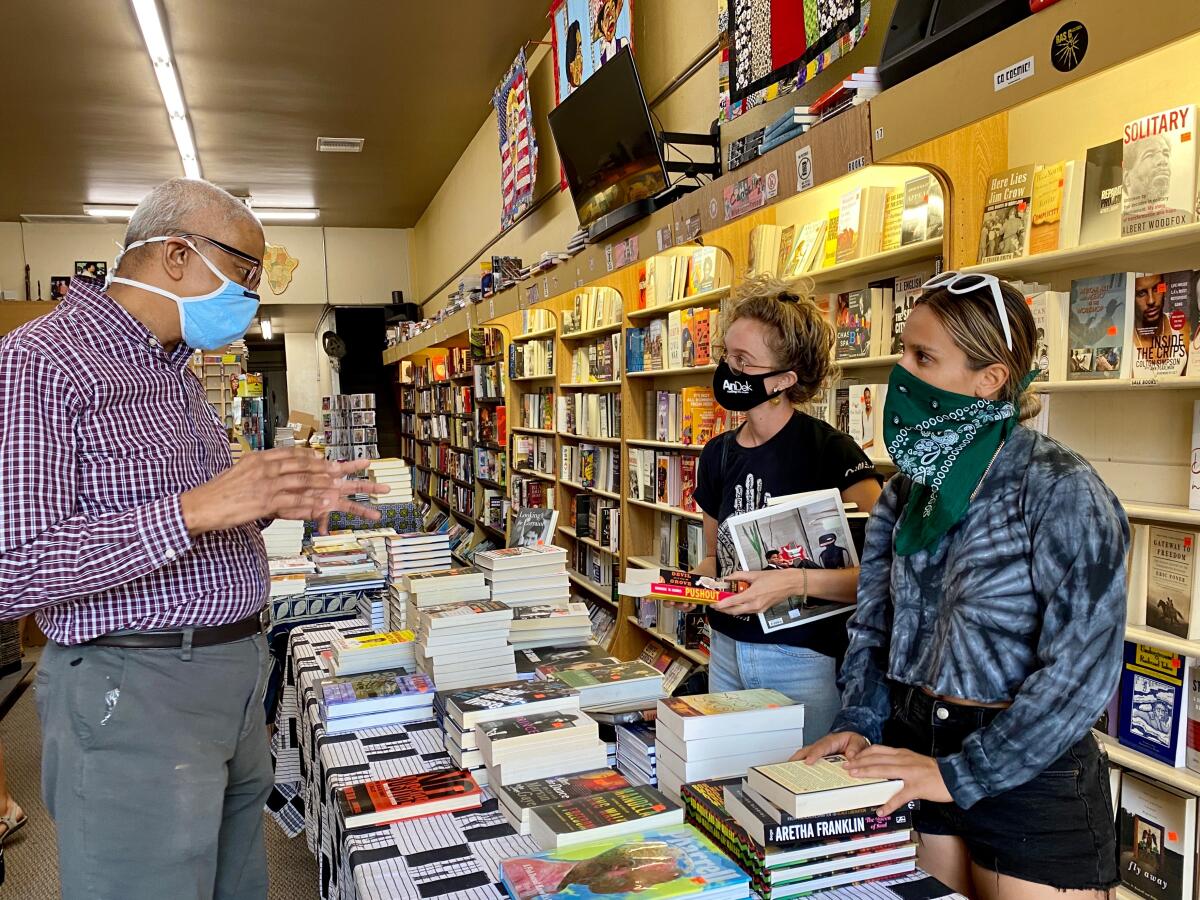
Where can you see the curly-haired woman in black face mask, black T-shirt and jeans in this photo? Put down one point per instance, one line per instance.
(778, 351)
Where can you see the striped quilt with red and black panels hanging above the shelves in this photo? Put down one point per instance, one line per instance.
(773, 47)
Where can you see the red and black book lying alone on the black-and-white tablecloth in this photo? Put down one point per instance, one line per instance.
(395, 800)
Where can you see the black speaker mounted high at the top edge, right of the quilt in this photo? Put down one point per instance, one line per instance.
(925, 33)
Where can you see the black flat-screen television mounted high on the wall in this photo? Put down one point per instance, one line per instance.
(608, 143)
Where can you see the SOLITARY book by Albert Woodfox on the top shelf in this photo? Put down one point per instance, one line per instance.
(1159, 171)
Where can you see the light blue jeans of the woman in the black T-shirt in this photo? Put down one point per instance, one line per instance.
(806, 676)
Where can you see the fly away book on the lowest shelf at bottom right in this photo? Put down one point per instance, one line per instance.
(1157, 836)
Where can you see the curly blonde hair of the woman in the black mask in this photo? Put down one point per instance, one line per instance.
(799, 332)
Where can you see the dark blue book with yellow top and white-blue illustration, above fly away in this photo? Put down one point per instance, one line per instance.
(1154, 704)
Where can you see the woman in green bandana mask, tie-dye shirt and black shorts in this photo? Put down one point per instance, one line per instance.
(991, 619)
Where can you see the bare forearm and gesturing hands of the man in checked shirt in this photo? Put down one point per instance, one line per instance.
(290, 483)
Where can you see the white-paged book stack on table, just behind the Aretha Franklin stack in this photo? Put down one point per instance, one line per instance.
(712, 736)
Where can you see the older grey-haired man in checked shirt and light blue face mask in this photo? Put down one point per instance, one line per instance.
(127, 530)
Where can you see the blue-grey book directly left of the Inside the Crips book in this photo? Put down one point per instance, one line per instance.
(1099, 327)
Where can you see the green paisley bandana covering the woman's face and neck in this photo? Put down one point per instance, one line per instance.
(945, 442)
